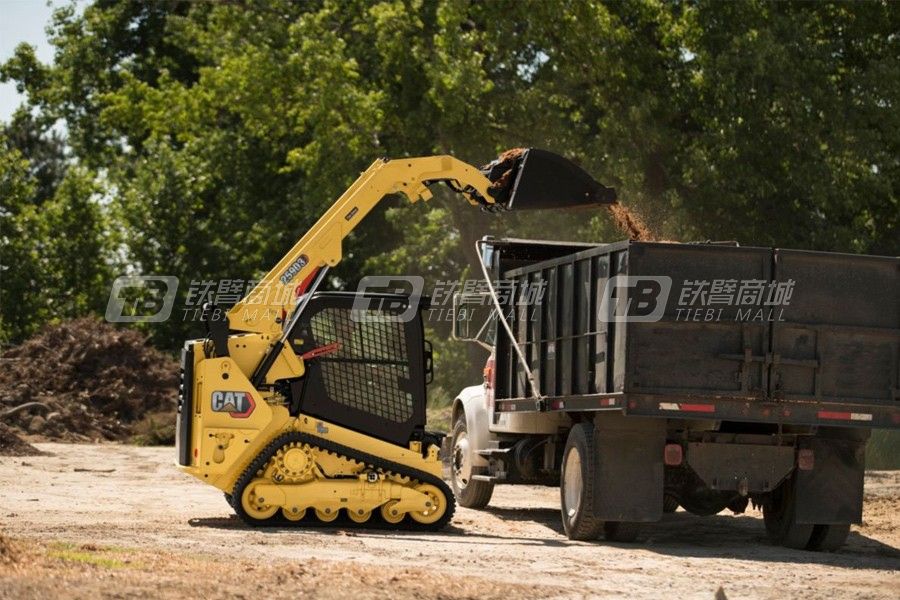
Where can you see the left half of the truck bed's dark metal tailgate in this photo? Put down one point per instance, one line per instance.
(692, 350)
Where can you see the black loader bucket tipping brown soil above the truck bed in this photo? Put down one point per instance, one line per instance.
(530, 178)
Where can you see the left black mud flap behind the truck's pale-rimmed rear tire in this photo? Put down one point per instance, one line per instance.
(629, 471)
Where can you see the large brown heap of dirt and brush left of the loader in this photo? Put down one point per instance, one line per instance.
(86, 379)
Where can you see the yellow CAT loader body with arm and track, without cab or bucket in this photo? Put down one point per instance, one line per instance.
(234, 422)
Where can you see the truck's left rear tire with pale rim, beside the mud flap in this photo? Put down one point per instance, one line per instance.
(576, 485)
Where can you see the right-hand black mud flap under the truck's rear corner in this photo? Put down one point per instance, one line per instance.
(832, 491)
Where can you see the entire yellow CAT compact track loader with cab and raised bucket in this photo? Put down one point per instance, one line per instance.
(305, 407)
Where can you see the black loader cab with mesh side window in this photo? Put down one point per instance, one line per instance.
(371, 375)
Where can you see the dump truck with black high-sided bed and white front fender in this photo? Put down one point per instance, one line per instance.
(643, 376)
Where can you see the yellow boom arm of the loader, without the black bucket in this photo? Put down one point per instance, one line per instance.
(263, 309)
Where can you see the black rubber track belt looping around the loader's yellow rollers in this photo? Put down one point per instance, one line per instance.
(370, 460)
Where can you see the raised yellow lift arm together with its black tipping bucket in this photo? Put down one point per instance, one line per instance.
(528, 178)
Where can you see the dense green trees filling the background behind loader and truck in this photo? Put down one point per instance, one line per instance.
(216, 133)
